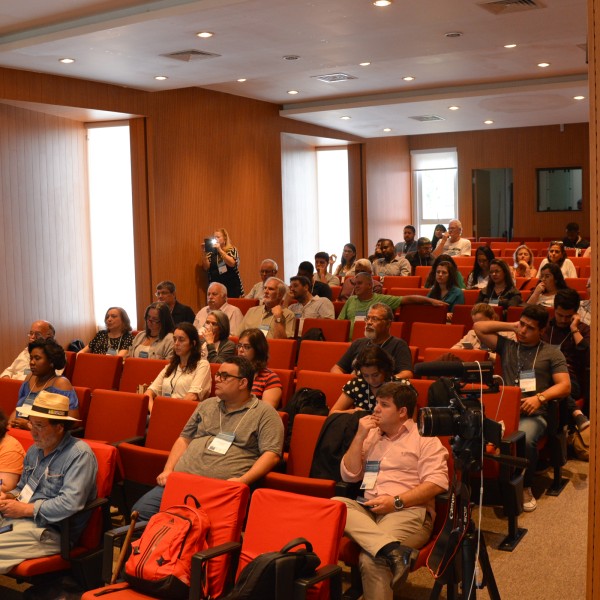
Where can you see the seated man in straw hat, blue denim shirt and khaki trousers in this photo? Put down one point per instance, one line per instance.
(58, 480)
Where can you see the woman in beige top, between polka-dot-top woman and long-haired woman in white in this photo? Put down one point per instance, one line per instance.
(156, 341)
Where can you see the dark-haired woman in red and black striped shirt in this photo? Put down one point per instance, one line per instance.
(266, 386)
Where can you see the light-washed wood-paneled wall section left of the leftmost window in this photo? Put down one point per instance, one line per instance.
(44, 220)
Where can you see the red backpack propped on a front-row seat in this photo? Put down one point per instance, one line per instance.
(161, 560)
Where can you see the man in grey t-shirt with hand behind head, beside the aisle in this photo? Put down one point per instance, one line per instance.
(539, 369)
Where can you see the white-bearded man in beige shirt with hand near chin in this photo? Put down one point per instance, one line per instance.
(270, 317)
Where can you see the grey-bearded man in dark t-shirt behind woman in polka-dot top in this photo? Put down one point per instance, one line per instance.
(378, 323)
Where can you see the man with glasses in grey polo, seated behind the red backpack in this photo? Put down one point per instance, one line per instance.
(231, 436)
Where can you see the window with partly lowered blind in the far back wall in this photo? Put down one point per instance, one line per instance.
(435, 189)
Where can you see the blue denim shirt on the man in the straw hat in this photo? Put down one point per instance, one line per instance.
(67, 482)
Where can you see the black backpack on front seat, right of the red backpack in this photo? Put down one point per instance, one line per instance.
(272, 571)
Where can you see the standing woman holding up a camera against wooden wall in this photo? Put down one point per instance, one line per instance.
(221, 261)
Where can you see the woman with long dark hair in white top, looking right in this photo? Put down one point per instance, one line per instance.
(186, 376)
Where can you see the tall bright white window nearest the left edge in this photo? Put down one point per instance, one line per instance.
(111, 220)
